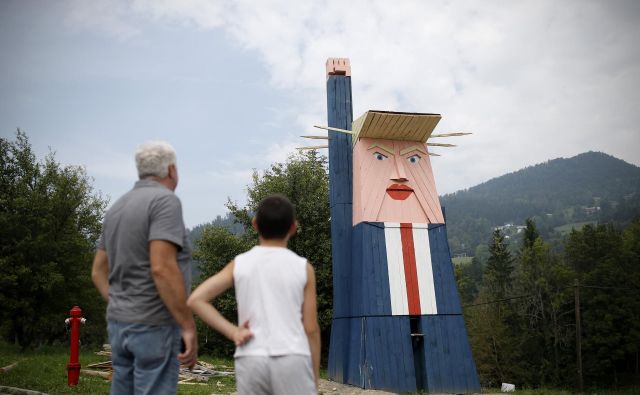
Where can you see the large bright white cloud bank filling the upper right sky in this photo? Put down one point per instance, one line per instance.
(533, 80)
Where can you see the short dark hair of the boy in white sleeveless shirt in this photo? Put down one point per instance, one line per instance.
(274, 217)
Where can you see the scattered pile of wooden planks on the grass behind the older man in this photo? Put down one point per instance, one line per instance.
(200, 374)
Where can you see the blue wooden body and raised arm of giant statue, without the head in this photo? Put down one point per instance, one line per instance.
(377, 341)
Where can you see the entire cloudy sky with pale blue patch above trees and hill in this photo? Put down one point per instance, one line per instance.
(232, 84)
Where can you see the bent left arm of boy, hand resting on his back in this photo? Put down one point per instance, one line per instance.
(209, 290)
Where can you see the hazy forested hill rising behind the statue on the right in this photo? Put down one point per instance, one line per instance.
(588, 187)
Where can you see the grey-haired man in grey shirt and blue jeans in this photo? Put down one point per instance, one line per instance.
(142, 268)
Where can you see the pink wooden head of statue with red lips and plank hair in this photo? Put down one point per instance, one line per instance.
(392, 176)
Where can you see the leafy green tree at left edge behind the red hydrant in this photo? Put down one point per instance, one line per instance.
(50, 219)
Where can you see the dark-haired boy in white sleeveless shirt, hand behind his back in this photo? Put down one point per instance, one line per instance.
(278, 343)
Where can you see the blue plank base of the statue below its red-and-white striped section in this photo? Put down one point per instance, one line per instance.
(382, 354)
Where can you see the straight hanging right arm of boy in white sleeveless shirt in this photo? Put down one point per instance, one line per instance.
(310, 320)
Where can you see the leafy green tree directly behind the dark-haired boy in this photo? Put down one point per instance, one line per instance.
(304, 180)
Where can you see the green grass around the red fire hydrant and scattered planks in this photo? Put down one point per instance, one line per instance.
(45, 370)
